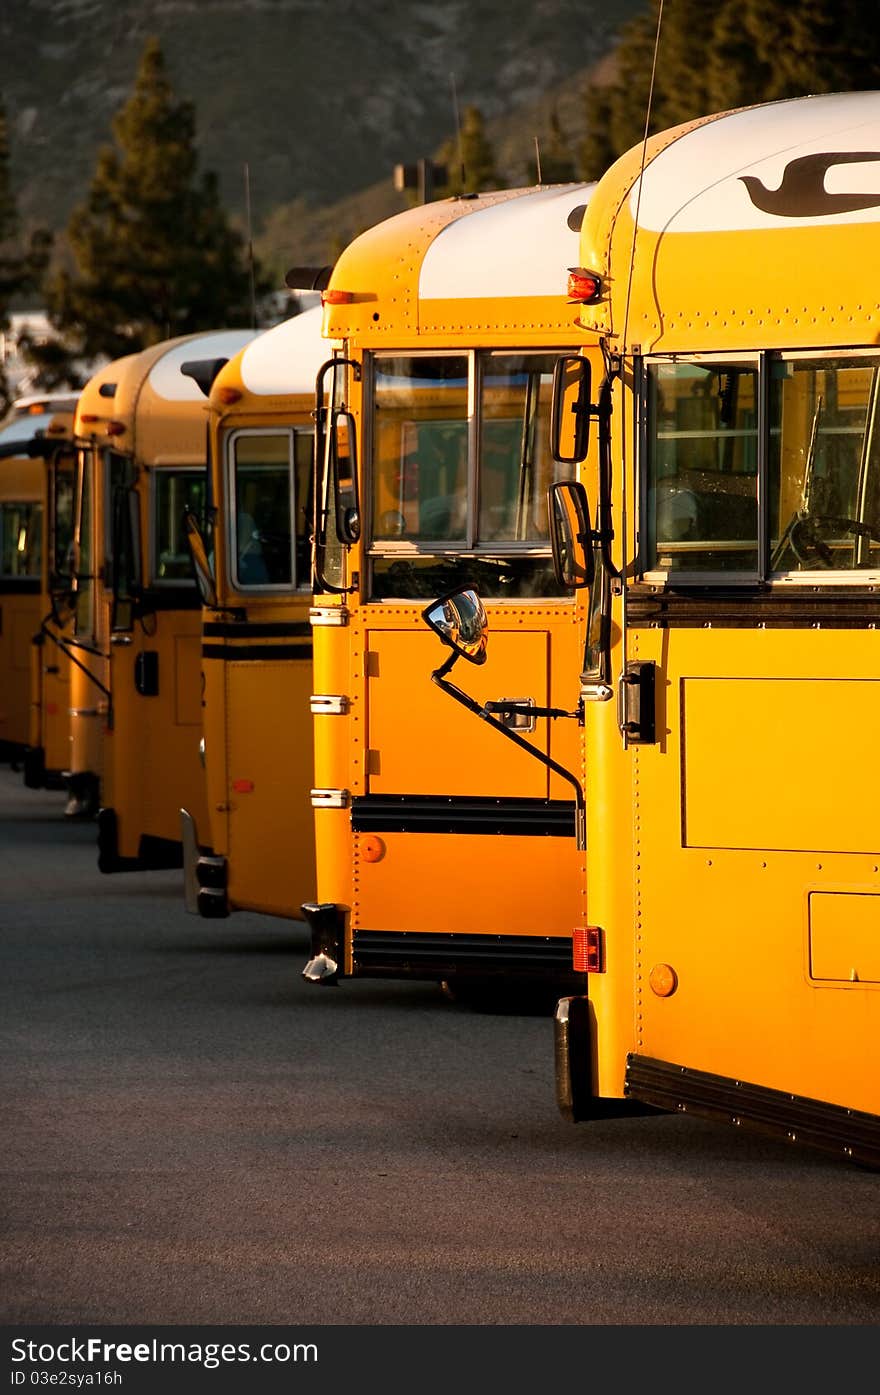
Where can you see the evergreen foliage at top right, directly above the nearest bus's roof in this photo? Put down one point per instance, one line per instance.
(733, 54)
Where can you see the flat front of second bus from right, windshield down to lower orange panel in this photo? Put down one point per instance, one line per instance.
(458, 482)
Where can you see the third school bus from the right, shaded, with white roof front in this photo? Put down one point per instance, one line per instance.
(255, 849)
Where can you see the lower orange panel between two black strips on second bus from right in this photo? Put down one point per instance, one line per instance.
(469, 884)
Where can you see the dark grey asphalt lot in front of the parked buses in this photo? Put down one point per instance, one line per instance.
(193, 1135)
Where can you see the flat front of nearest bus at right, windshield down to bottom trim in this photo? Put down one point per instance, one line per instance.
(758, 843)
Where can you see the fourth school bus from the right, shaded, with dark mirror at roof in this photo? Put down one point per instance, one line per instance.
(143, 430)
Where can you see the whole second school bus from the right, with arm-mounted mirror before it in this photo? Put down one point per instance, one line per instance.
(443, 853)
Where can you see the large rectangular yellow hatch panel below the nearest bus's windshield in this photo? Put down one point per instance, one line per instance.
(790, 781)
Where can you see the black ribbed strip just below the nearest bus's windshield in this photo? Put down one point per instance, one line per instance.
(752, 608)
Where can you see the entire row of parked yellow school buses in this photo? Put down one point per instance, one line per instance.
(652, 792)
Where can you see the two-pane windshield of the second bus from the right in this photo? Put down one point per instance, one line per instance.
(461, 468)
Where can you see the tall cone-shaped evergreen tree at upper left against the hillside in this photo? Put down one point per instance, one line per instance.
(153, 252)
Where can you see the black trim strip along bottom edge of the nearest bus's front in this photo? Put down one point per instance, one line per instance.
(847, 1133)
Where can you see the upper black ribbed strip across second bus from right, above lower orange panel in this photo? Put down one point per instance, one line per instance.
(462, 814)
